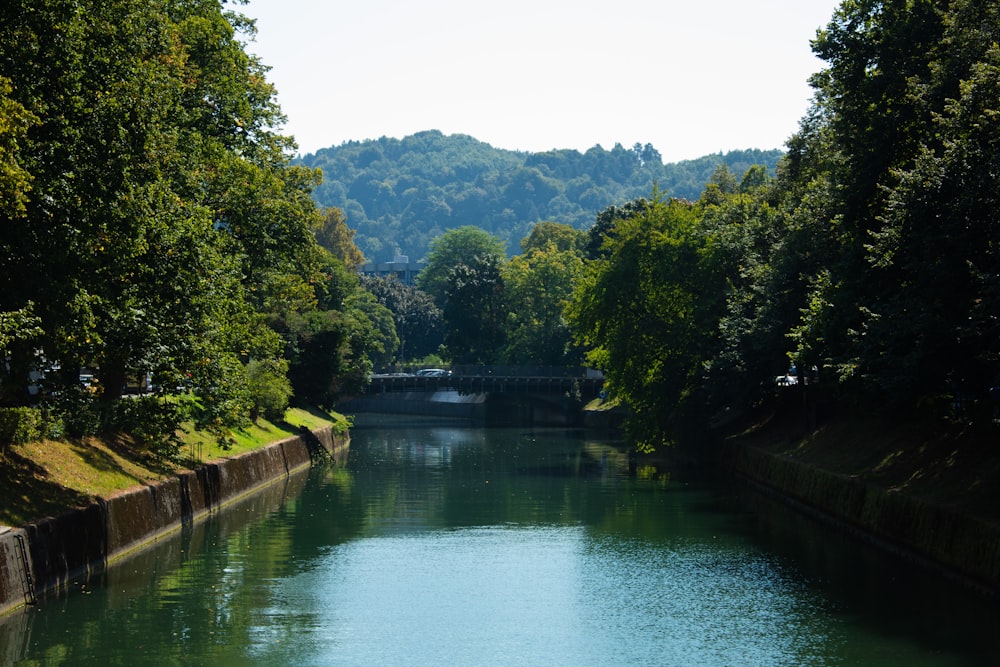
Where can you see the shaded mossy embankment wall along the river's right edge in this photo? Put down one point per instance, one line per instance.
(953, 542)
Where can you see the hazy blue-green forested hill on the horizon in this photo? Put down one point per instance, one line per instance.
(399, 194)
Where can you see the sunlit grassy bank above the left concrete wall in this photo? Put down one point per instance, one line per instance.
(45, 478)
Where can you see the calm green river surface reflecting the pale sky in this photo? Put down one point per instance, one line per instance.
(446, 545)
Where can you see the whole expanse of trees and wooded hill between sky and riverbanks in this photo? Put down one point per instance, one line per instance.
(155, 224)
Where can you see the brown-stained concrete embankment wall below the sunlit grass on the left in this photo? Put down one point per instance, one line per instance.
(50, 552)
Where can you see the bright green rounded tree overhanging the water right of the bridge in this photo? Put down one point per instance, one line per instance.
(648, 312)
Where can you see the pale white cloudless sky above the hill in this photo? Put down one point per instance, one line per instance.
(690, 77)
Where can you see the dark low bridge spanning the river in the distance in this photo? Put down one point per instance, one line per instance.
(495, 379)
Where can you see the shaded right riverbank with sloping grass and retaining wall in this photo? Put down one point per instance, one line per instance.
(930, 492)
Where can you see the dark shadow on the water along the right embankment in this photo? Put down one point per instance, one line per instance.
(891, 595)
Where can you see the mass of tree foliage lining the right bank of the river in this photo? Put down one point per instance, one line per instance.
(869, 261)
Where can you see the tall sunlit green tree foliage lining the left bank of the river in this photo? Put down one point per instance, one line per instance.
(152, 220)
